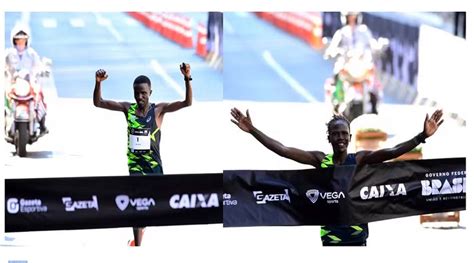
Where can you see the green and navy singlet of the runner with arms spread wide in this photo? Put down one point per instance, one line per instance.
(343, 235)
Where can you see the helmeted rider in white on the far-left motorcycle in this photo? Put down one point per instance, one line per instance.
(21, 60)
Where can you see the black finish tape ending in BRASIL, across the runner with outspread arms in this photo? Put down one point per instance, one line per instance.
(344, 194)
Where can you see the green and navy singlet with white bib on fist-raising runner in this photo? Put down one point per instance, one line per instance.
(143, 142)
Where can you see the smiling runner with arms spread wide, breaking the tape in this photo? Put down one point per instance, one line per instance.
(339, 137)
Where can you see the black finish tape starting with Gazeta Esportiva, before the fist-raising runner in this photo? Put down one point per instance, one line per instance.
(114, 201)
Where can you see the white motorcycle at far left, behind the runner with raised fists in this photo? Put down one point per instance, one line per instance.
(23, 111)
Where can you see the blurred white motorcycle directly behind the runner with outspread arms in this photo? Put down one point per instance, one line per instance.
(353, 90)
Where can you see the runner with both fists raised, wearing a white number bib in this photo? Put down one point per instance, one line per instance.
(144, 121)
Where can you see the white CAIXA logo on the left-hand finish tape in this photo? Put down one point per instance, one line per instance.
(198, 200)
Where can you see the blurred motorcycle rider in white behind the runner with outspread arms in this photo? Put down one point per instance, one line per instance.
(353, 36)
